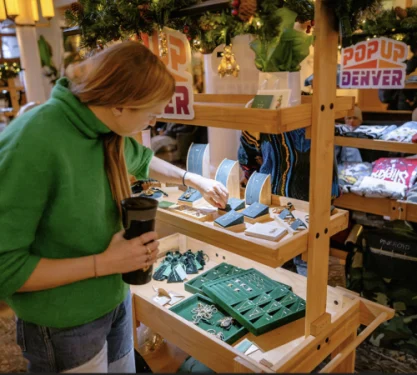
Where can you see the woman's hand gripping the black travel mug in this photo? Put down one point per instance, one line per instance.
(127, 255)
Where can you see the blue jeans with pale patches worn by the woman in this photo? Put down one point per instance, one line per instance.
(104, 345)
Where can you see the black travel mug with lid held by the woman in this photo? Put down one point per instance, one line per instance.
(138, 214)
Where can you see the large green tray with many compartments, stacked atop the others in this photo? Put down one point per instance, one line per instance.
(259, 303)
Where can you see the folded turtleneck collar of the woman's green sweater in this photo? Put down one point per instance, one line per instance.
(78, 113)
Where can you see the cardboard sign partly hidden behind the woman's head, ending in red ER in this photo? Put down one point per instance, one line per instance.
(178, 61)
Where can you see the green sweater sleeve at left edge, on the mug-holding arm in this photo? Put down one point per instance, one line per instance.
(26, 179)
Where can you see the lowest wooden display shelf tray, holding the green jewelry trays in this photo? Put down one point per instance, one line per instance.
(285, 349)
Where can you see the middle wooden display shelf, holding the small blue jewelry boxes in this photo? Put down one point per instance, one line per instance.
(267, 252)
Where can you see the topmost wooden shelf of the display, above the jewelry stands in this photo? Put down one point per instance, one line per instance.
(228, 111)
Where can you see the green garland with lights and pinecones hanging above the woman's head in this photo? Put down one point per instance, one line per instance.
(103, 21)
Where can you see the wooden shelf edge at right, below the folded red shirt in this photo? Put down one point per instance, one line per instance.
(395, 209)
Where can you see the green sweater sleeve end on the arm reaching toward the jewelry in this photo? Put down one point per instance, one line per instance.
(138, 158)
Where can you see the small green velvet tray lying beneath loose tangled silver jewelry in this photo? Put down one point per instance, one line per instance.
(185, 307)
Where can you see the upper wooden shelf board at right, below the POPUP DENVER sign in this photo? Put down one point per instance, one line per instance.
(375, 144)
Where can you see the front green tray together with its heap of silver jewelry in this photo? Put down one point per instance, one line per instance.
(202, 311)
